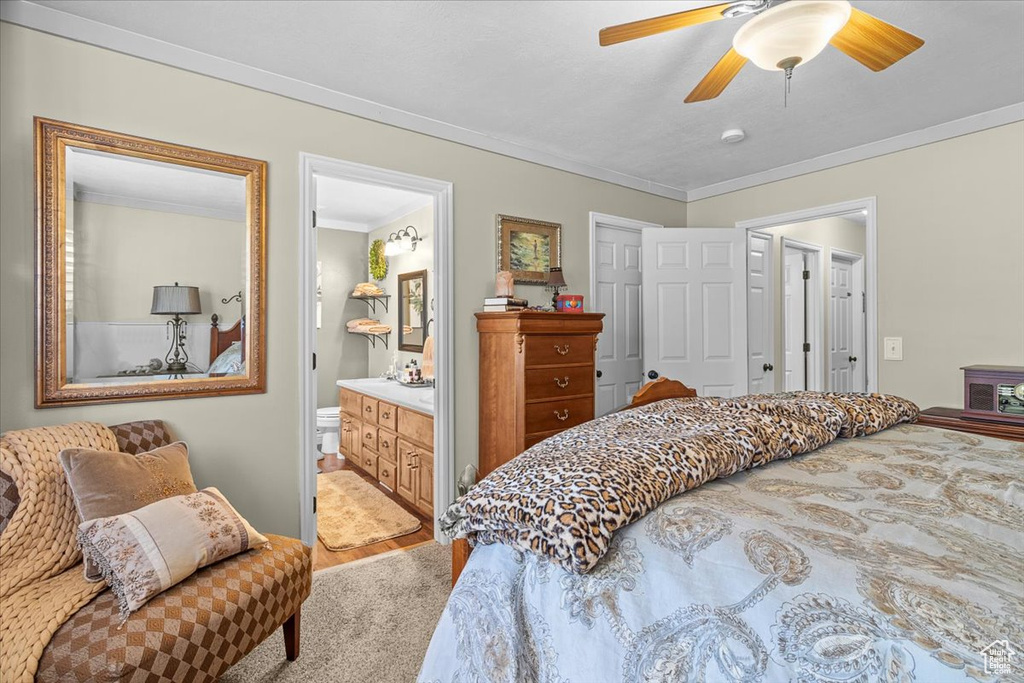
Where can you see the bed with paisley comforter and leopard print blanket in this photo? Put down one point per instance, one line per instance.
(892, 553)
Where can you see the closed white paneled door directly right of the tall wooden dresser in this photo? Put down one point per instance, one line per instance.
(617, 294)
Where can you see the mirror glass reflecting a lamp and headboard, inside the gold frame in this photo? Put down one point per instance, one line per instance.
(156, 273)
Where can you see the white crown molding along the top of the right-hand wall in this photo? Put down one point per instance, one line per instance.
(917, 139)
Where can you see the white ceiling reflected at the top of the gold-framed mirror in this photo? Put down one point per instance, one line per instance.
(107, 179)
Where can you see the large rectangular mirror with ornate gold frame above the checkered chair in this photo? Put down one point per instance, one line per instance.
(151, 270)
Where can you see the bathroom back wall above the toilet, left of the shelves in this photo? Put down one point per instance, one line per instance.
(345, 258)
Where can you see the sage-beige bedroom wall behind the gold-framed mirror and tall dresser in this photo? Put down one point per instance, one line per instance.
(248, 446)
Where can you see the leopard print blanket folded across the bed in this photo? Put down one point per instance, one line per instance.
(568, 496)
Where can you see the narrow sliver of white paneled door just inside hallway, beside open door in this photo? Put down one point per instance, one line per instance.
(760, 315)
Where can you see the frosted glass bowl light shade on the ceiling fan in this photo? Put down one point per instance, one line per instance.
(794, 32)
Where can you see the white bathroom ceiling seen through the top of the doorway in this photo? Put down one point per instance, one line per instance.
(356, 206)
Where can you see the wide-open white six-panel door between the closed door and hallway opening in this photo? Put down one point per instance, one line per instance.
(695, 309)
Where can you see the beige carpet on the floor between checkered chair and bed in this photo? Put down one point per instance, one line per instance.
(366, 621)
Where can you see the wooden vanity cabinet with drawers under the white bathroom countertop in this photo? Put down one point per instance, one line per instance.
(392, 444)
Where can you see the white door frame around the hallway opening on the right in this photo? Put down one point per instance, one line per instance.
(869, 207)
